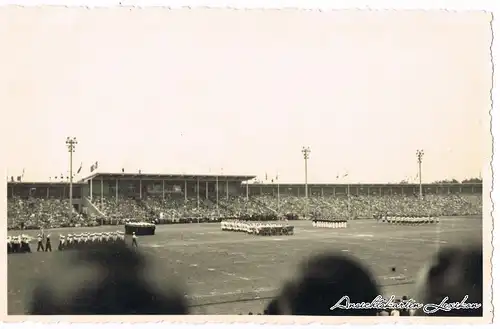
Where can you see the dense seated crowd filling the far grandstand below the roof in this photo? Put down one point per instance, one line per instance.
(50, 213)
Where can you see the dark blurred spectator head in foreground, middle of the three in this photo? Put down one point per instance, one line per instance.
(322, 282)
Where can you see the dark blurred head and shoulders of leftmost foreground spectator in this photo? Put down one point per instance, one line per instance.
(119, 289)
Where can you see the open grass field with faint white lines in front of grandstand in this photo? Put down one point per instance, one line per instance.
(231, 273)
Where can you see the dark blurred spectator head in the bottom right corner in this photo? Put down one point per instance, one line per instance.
(453, 275)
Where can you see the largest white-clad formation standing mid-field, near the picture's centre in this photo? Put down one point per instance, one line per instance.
(256, 228)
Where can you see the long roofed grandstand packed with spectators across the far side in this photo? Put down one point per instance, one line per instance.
(114, 198)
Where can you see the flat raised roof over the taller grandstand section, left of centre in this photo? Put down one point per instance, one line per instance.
(171, 177)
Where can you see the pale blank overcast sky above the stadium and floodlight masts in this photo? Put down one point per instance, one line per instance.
(240, 92)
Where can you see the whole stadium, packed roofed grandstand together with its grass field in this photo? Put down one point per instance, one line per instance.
(233, 272)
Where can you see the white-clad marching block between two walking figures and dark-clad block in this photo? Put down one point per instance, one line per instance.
(90, 240)
